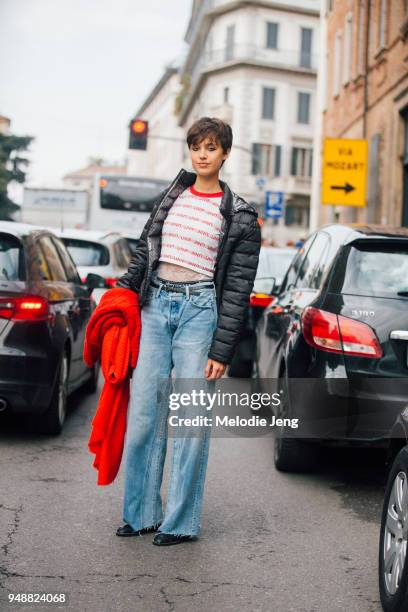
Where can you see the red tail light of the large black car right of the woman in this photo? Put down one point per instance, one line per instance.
(338, 334)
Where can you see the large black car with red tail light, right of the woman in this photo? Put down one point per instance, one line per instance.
(334, 340)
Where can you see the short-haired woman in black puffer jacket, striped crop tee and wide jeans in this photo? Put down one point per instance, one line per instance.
(194, 269)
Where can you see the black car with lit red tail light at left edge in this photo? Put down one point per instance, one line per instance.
(44, 311)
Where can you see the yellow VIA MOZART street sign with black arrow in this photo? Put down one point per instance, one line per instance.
(344, 176)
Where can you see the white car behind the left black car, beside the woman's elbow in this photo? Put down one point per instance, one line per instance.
(104, 253)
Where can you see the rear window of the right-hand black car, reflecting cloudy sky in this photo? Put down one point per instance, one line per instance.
(378, 271)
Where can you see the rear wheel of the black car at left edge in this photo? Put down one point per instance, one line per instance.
(52, 421)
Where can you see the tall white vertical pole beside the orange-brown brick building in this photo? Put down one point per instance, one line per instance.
(315, 199)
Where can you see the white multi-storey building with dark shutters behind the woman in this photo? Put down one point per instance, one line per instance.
(254, 65)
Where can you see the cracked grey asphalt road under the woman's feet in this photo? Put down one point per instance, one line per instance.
(269, 541)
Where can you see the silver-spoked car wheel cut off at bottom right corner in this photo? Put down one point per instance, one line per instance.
(392, 560)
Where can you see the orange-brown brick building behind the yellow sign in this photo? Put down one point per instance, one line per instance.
(367, 97)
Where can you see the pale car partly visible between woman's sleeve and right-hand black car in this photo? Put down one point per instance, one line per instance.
(272, 267)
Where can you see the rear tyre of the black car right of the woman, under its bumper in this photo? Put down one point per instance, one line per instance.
(291, 454)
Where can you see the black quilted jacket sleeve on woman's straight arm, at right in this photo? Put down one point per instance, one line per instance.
(238, 284)
